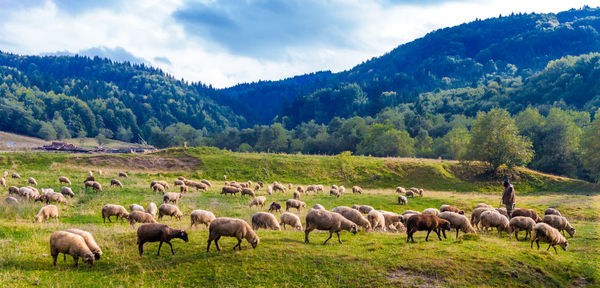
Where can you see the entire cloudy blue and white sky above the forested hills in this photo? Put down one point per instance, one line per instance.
(225, 42)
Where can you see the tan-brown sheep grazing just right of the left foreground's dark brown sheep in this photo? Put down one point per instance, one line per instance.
(231, 227)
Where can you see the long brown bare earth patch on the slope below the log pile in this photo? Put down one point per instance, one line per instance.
(184, 162)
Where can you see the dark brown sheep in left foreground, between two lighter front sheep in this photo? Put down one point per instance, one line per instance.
(153, 232)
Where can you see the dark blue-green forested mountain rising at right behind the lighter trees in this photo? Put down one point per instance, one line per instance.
(467, 55)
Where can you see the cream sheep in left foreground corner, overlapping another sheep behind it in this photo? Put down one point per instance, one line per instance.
(71, 244)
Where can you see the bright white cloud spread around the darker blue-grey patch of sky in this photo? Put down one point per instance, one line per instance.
(147, 29)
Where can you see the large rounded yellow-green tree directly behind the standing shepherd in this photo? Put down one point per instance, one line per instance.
(496, 140)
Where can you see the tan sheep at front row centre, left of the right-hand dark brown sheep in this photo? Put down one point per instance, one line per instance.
(321, 219)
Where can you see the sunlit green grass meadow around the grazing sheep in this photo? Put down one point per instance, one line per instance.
(282, 259)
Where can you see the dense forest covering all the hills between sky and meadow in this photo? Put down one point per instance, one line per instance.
(533, 79)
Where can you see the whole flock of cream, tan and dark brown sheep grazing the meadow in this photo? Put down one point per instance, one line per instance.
(79, 243)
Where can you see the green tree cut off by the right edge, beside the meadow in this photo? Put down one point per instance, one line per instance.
(591, 148)
